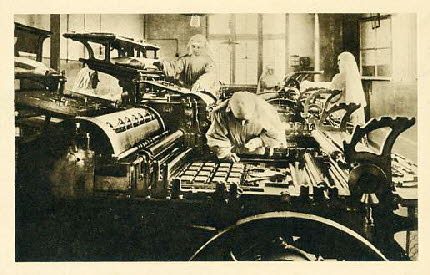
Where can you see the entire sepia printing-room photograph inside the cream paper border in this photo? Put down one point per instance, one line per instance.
(198, 136)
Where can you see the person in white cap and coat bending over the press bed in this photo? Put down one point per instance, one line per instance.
(245, 121)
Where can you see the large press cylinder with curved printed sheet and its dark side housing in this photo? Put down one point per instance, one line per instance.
(117, 154)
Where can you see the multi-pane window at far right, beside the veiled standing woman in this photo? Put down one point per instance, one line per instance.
(375, 47)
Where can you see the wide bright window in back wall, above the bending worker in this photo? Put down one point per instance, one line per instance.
(234, 41)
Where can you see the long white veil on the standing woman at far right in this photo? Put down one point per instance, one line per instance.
(349, 73)
